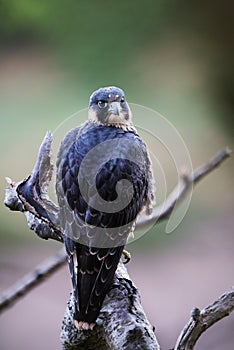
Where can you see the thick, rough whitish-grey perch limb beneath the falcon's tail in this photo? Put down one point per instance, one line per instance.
(122, 323)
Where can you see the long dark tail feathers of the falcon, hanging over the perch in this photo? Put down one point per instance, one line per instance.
(94, 276)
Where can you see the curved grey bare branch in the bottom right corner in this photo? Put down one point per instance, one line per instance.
(200, 321)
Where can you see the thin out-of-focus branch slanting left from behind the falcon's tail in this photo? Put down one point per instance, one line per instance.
(31, 280)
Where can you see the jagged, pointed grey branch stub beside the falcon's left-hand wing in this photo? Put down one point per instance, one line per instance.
(30, 196)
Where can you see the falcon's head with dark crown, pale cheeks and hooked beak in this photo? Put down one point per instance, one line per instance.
(108, 106)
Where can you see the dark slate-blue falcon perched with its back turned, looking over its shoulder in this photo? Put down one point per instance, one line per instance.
(104, 180)
